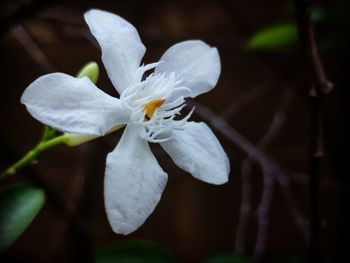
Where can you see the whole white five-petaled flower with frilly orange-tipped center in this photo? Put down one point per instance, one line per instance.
(134, 181)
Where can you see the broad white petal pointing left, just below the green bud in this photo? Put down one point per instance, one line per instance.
(73, 105)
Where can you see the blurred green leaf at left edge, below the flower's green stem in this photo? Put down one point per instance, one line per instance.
(18, 207)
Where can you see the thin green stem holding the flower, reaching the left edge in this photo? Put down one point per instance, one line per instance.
(30, 156)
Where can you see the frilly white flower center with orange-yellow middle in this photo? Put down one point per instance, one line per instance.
(154, 104)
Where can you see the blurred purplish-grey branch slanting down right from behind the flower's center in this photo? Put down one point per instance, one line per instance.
(268, 166)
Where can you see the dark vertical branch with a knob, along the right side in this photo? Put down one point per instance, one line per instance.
(320, 87)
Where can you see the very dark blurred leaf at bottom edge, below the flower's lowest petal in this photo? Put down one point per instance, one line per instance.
(135, 251)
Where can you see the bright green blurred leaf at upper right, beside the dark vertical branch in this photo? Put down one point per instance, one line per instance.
(276, 37)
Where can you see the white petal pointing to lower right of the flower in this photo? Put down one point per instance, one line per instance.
(196, 150)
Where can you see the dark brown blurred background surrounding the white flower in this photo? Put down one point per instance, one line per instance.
(261, 100)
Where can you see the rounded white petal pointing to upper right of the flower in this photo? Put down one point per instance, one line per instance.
(195, 62)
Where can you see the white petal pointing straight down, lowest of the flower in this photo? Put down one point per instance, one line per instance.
(133, 183)
